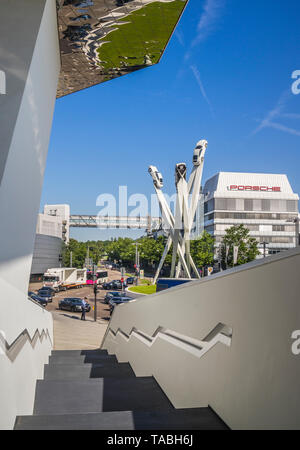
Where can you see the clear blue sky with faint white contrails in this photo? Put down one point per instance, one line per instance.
(225, 77)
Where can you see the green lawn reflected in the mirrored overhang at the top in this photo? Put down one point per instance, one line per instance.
(147, 33)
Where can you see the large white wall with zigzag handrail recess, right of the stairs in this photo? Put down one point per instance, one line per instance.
(253, 382)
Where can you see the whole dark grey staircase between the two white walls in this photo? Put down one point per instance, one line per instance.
(90, 390)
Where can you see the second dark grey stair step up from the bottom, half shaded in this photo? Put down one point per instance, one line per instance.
(98, 395)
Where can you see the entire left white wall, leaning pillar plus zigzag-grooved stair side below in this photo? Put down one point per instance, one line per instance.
(30, 58)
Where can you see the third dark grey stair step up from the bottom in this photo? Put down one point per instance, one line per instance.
(86, 371)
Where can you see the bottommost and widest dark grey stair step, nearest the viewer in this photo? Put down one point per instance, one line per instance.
(176, 419)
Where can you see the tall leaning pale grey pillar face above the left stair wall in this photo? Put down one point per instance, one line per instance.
(24, 169)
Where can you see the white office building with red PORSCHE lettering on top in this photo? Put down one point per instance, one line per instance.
(264, 203)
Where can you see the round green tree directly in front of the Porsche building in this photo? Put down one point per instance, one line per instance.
(239, 236)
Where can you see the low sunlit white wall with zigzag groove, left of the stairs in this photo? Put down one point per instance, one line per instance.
(21, 367)
